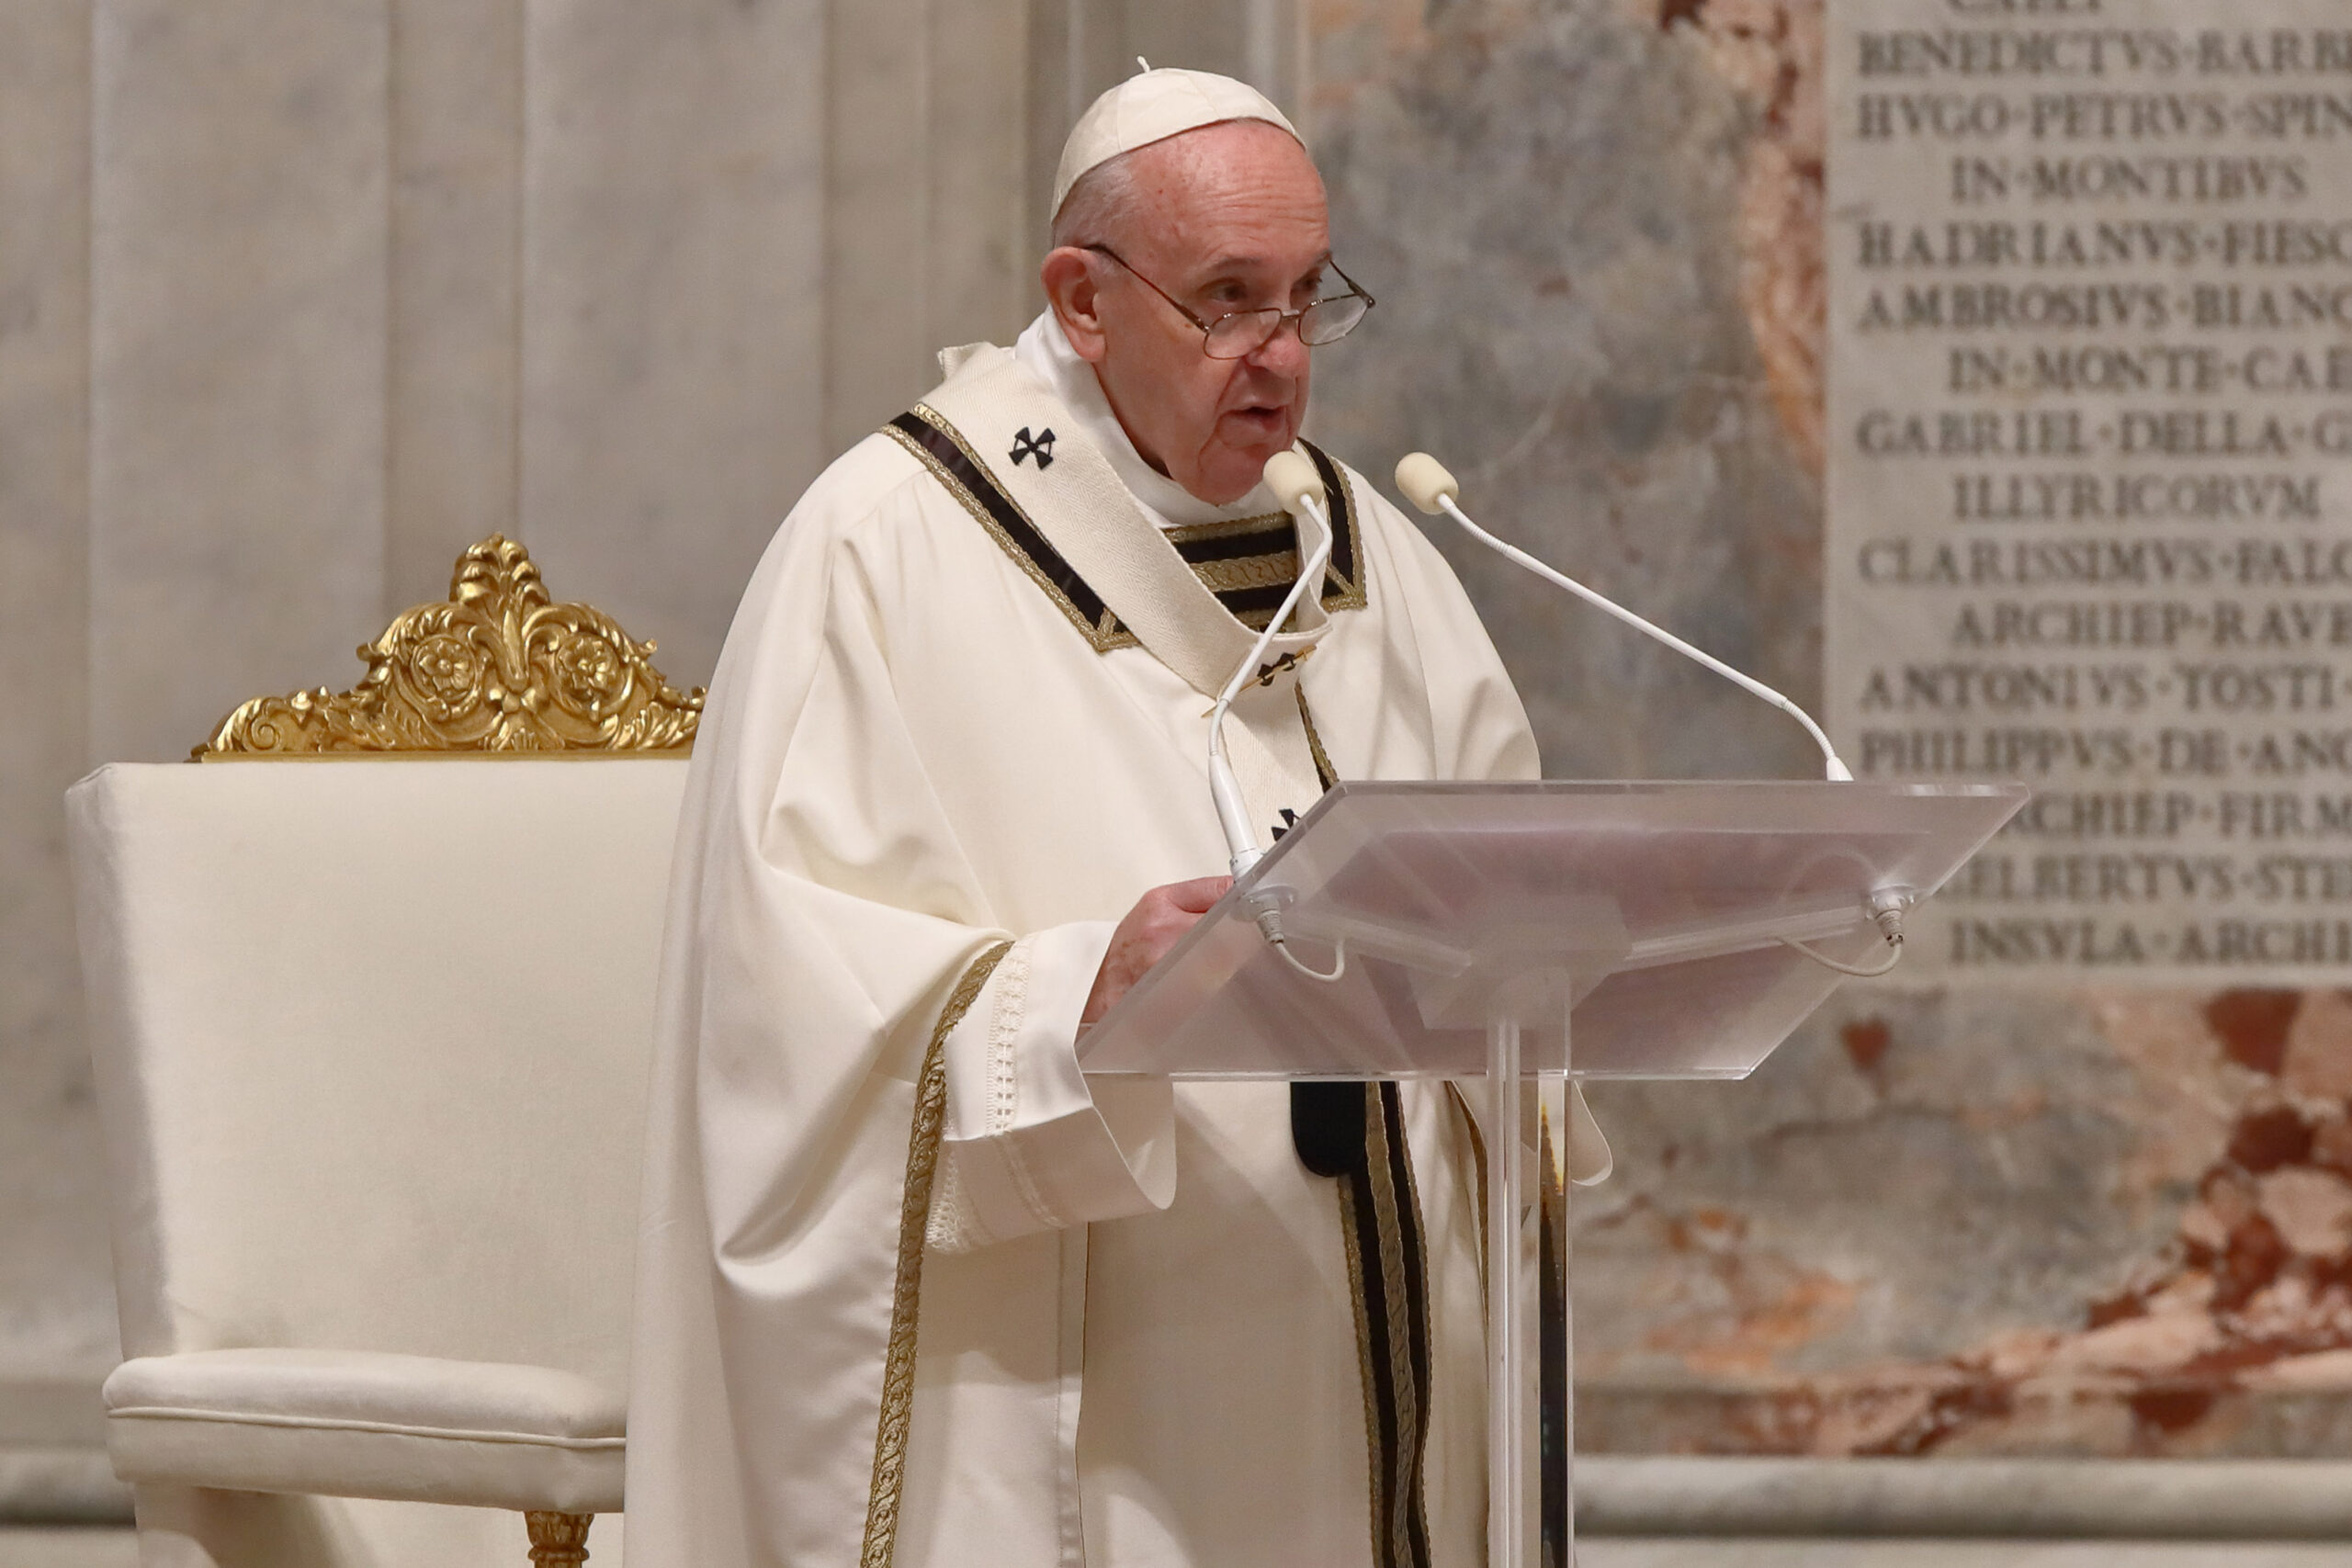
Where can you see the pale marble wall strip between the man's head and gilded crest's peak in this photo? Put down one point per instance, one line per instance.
(671, 307)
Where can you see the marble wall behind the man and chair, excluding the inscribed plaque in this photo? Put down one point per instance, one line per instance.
(305, 295)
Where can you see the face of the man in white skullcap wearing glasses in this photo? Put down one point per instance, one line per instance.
(1231, 217)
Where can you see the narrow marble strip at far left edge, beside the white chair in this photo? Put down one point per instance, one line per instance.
(55, 1311)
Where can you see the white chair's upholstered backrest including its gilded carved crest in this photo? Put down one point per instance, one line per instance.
(373, 1038)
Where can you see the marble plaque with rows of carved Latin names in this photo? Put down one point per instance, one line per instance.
(2092, 469)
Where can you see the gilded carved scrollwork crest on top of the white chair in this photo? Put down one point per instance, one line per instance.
(497, 669)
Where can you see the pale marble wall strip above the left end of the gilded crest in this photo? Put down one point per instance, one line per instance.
(239, 356)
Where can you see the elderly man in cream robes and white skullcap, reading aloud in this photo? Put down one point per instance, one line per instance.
(914, 1289)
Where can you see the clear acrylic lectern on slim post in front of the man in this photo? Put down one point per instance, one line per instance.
(1445, 930)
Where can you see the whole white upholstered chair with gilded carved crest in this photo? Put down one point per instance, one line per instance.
(370, 1047)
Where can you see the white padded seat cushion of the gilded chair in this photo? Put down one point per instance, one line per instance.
(370, 1426)
